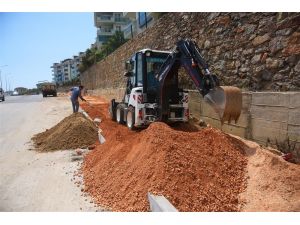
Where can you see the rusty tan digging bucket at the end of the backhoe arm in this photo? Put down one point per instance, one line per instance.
(226, 101)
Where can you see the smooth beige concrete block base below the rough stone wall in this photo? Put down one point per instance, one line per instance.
(266, 117)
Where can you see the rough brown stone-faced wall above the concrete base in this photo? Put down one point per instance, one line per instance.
(254, 51)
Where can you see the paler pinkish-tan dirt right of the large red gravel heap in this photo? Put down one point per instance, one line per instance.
(273, 183)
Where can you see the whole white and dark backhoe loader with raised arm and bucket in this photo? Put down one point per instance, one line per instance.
(153, 92)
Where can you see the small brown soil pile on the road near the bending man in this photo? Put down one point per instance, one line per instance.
(74, 131)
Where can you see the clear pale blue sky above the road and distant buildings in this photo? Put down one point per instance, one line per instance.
(31, 42)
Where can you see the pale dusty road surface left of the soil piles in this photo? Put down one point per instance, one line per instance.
(32, 181)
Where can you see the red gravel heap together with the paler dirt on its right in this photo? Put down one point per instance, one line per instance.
(205, 170)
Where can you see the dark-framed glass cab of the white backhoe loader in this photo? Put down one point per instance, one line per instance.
(142, 70)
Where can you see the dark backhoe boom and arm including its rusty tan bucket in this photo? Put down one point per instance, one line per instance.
(226, 100)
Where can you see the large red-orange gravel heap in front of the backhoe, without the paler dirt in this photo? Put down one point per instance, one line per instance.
(195, 170)
